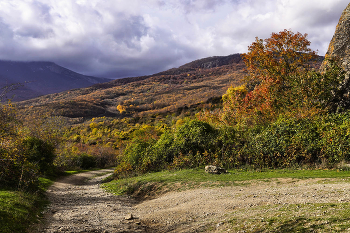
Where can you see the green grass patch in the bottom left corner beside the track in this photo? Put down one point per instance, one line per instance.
(19, 209)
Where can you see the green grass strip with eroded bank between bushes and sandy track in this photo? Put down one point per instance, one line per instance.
(153, 184)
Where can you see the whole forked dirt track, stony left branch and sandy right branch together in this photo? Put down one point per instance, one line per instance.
(79, 205)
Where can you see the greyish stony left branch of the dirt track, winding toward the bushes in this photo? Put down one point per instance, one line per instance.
(78, 204)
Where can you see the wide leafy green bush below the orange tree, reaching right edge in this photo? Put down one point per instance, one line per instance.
(318, 140)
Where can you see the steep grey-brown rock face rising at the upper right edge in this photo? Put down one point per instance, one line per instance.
(340, 44)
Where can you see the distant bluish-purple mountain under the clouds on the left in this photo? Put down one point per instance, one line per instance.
(41, 78)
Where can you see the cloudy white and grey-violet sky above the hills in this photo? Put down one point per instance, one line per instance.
(127, 38)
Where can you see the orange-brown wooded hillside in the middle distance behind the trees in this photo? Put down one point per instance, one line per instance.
(195, 85)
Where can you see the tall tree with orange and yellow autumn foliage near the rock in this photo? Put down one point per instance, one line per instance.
(272, 65)
